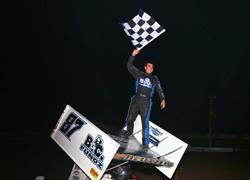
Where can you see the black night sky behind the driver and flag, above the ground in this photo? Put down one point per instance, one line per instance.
(75, 52)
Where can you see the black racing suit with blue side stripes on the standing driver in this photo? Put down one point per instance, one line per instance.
(141, 102)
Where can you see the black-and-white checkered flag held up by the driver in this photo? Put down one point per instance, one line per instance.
(142, 29)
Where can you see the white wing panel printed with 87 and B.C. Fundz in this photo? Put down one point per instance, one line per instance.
(88, 146)
